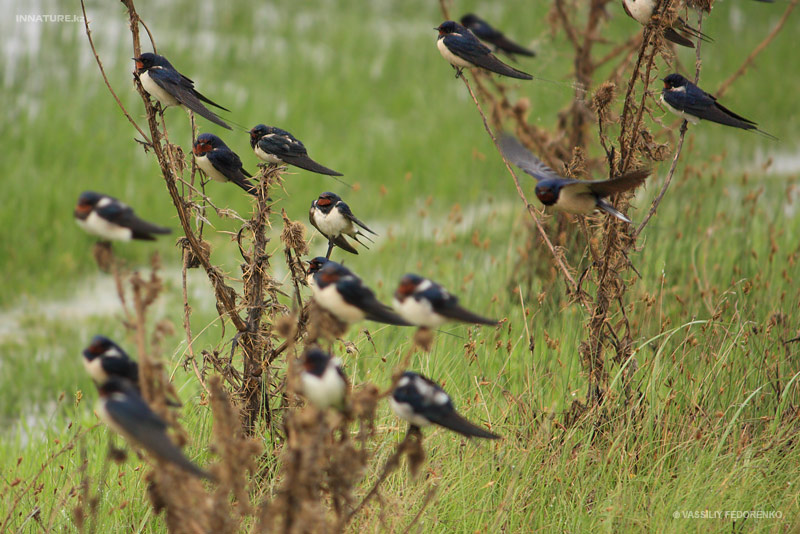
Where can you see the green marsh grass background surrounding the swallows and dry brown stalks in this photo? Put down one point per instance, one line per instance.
(367, 92)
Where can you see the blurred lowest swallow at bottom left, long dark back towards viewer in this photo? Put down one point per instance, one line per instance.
(125, 411)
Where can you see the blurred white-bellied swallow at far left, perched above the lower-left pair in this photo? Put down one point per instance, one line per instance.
(110, 219)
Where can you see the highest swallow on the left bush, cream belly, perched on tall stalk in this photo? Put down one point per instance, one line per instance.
(171, 88)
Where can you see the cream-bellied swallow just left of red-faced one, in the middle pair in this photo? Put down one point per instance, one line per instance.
(343, 294)
